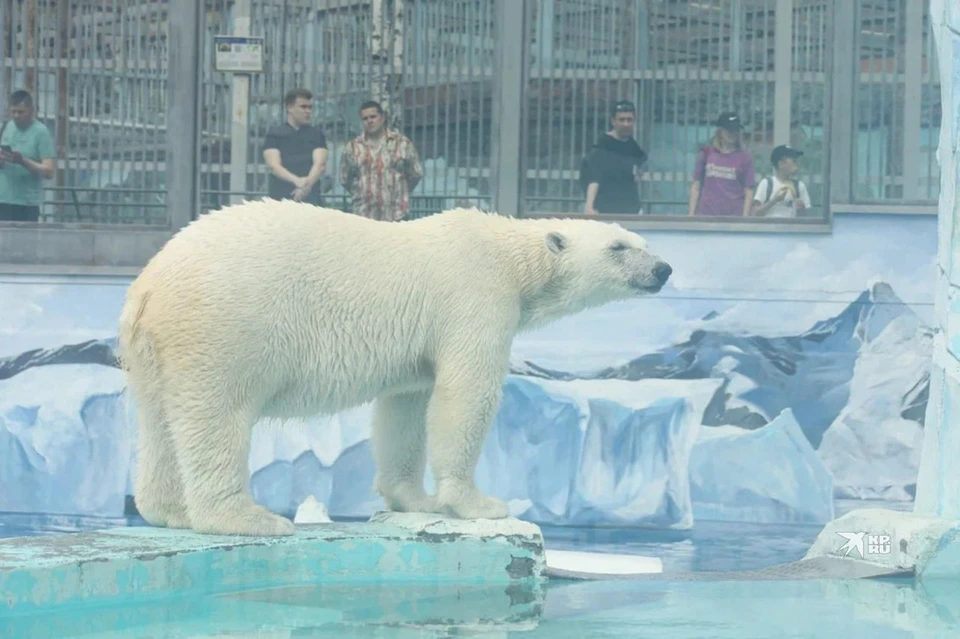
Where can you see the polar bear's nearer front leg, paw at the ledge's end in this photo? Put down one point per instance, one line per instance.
(459, 417)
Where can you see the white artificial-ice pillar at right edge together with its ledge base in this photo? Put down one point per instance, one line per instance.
(926, 541)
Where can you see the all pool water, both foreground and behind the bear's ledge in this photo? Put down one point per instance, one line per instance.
(670, 608)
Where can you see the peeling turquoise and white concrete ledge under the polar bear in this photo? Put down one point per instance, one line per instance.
(136, 565)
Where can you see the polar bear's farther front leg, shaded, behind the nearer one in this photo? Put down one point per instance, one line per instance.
(399, 448)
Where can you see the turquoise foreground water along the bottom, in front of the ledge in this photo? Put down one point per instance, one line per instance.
(662, 610)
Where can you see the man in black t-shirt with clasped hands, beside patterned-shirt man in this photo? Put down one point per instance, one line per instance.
(296, 152)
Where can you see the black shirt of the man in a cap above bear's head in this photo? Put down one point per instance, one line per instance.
(611, 163)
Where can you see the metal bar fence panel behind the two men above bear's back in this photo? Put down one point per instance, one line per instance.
(432, 71)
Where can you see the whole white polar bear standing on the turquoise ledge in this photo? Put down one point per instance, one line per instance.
(284, 310)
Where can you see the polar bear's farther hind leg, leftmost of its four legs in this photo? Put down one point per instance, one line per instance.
(158, 491)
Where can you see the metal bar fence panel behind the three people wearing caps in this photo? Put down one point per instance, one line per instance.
(698, 59)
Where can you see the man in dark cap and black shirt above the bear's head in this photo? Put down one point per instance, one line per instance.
(610, 172)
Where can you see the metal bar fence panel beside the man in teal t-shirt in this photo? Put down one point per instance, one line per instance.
(97, 75)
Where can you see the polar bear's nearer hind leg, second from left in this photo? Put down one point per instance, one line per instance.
(213, 449)
